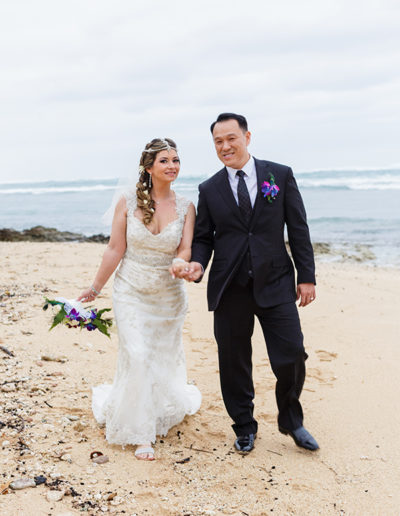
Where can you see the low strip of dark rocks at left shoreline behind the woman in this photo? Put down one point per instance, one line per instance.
(43, 234)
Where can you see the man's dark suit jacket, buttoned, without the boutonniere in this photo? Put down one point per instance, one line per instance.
(220, 228)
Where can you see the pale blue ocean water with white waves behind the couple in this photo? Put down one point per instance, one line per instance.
(348, 209)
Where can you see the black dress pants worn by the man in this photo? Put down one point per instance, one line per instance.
(233, 329)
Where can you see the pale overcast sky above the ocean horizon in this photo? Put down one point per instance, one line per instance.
(84, 85)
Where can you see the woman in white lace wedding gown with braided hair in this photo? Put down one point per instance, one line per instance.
(151, 241)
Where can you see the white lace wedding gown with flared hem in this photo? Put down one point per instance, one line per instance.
(149, 393)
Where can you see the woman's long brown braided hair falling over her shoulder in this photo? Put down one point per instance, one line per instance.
(143, 187)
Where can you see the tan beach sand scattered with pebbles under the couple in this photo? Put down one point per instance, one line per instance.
(350, 401)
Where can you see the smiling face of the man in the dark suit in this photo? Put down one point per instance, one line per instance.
(231, 143)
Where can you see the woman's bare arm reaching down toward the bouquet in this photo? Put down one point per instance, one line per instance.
(112, 255)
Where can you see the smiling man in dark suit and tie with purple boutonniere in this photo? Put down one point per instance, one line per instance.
(242, 213)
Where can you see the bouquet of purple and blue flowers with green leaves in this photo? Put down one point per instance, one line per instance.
(74, 315)
